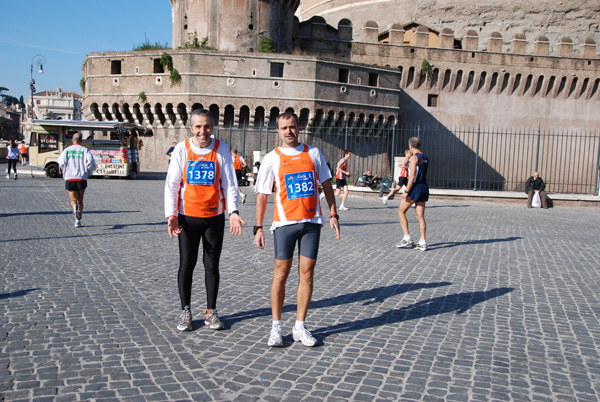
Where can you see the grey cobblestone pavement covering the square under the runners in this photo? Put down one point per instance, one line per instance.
(503, 306)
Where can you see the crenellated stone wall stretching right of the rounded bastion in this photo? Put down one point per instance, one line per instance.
(501, 85)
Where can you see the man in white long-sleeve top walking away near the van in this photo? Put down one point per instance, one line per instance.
(76, 163)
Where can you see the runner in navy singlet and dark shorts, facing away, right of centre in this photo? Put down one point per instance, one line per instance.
(417, 192)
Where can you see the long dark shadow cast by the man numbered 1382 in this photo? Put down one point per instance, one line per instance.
(459, 303)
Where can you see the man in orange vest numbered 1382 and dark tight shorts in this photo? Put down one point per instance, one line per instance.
(295, 168)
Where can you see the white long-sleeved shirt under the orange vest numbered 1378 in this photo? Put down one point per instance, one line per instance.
(177, 167)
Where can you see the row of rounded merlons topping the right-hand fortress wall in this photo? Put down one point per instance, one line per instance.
(412, 34)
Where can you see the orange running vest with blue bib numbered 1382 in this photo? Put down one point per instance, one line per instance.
(297, 197)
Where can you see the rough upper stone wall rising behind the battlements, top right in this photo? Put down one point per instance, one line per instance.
(551, 18)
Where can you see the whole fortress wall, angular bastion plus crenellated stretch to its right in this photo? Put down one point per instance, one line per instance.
(332, 80)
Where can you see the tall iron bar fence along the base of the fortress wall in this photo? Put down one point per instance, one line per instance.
(472, 158)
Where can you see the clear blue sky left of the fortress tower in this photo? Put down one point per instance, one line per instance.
(65, 31)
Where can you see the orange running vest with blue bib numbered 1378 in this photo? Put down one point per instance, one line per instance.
(201, 195)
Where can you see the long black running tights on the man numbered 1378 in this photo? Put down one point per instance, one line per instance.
(210, 231)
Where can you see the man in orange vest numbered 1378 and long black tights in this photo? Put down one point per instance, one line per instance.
(200, 186)
